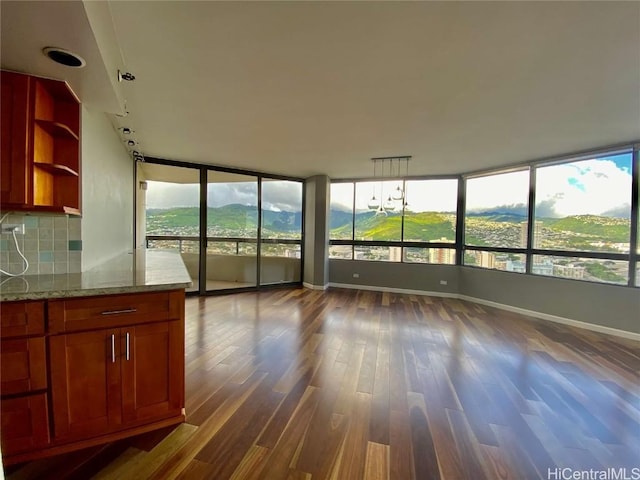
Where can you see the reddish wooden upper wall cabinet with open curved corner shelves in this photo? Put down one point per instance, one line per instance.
(40, 145)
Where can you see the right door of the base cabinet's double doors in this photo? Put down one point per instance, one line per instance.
(152, 371)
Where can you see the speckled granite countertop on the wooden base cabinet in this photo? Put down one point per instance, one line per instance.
(139, 271)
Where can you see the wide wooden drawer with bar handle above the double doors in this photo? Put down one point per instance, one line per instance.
(87, 313)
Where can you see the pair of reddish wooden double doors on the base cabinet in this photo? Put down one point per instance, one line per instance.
(111, 379)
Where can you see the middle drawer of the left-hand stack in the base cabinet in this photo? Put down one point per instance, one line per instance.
(23, 368)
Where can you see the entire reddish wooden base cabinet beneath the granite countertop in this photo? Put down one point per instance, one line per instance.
(111, 367)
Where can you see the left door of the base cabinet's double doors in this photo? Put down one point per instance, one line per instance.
(85, 383)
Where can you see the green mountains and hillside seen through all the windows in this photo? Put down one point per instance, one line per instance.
(578, 232)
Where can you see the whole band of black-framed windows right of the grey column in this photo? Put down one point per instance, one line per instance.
(580, 226)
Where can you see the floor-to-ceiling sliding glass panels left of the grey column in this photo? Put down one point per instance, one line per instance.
(213, 216)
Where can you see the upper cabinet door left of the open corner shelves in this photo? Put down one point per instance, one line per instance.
(14, 141)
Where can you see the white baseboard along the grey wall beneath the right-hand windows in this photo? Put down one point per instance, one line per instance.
(523, 311)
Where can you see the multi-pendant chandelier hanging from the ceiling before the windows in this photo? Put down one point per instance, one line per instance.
(397, 198)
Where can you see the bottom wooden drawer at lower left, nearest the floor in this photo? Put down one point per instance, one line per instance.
(25, 423)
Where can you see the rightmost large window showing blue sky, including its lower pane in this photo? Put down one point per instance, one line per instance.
(584, 206)
